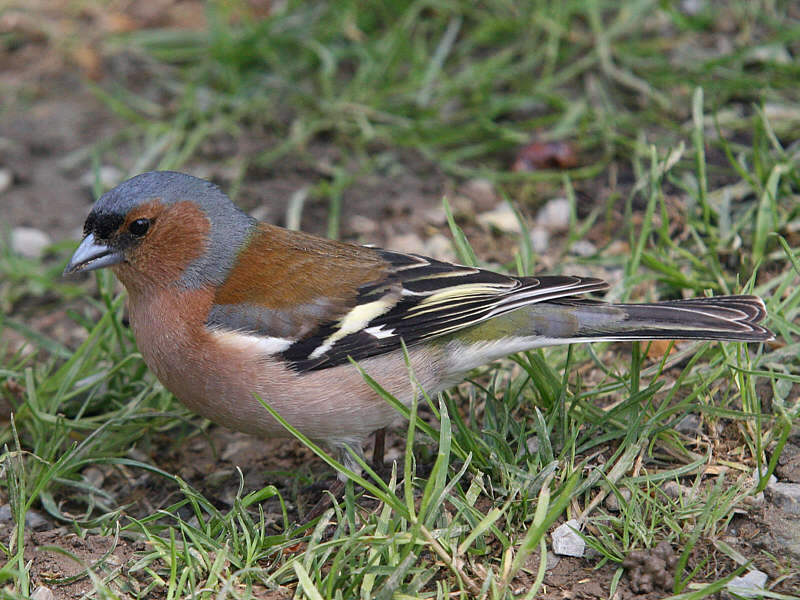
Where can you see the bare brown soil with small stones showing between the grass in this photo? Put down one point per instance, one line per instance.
(50, 118)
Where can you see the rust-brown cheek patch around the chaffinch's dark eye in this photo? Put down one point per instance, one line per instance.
(177, 238)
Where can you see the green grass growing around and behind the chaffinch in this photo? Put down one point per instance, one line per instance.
(700, 137)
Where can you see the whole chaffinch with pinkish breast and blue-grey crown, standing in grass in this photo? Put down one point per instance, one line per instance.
(227, 310)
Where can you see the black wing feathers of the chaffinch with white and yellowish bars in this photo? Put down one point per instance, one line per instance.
(422, 299)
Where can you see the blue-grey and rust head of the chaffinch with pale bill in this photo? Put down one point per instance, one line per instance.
(161, 228)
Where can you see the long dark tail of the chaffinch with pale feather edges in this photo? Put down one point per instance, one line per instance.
(728, 318)
